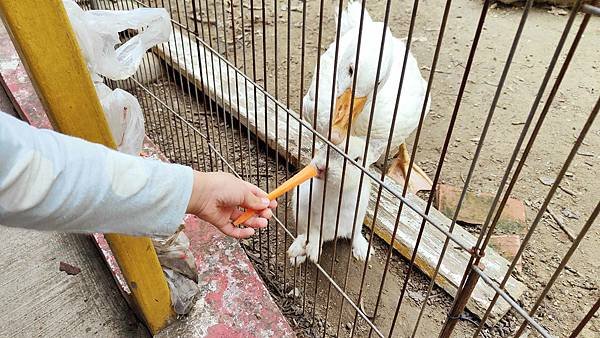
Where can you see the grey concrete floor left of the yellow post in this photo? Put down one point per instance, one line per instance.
(36, 299)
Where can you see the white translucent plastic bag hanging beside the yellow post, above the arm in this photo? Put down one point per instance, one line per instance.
(98, 34)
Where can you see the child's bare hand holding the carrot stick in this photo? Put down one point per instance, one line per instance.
(216, 197)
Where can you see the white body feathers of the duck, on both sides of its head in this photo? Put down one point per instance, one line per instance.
(411, 96)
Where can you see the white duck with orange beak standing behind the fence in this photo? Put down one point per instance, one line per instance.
(411, 99)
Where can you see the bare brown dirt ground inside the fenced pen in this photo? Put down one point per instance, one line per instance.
(576, 289)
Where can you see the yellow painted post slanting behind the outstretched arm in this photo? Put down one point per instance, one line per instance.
(42, 34)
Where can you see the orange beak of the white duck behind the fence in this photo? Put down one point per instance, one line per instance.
(342, 114)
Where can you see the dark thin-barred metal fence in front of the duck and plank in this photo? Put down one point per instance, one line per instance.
(228, 93)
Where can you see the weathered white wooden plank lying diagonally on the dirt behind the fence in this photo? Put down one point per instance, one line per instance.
(217, 80)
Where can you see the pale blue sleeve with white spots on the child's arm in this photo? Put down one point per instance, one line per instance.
(50, 181)
